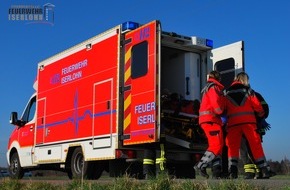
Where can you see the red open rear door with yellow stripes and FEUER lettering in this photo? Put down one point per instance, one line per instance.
(140, 85)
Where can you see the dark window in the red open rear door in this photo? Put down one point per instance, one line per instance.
(139, 62)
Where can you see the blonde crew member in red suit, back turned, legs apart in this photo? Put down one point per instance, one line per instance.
(241, 107)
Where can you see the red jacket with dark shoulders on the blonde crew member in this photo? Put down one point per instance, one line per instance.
(241, 105)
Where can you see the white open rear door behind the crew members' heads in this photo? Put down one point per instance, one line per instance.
(228, 60)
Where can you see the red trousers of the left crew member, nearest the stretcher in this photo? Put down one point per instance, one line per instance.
(214, 134)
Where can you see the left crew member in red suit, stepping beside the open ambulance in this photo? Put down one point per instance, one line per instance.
(211, 109)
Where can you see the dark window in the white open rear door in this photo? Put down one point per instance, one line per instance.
(227, 69)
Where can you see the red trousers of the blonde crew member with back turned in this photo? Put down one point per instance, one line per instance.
(234, 137)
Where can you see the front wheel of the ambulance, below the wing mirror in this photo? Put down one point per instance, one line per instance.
(15, 169)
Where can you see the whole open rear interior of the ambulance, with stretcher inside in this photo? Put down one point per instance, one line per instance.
(182, 80)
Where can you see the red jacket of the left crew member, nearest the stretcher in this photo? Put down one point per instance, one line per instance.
(212, 103)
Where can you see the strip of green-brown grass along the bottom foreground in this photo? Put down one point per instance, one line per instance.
(162, 182)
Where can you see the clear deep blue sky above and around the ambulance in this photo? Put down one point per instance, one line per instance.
(263, 25)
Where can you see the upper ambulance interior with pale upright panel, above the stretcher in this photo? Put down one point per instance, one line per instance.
(180, 73)
